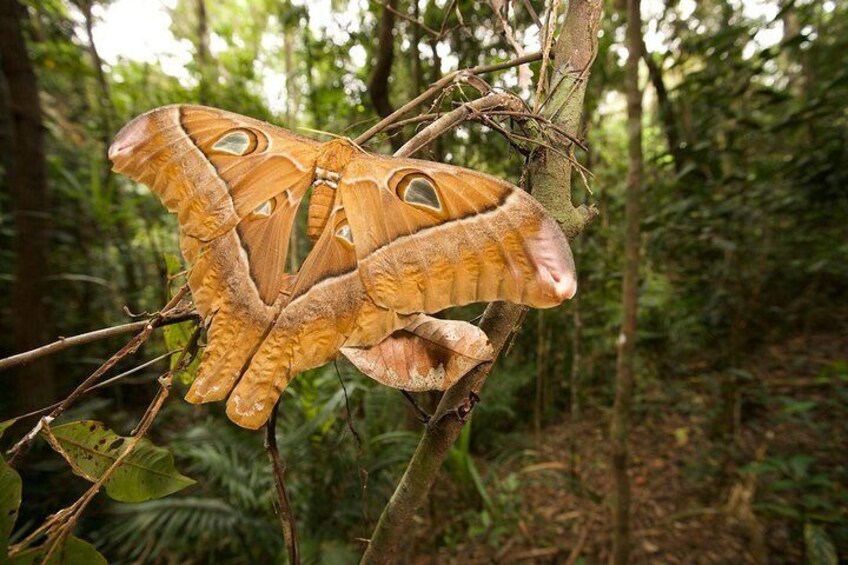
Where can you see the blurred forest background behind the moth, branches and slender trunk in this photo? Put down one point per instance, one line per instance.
(738, 433)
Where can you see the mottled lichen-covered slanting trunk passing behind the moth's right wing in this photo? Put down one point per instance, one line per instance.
(574, 54)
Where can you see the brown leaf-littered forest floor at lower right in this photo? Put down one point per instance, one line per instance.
(692, 502)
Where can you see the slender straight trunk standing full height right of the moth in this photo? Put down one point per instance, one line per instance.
(629, 294)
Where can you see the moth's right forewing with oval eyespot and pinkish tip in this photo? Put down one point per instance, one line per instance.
(429, 236)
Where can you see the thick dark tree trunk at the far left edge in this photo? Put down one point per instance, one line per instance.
(27, 181)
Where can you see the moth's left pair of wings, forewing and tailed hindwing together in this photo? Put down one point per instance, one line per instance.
(235, 184)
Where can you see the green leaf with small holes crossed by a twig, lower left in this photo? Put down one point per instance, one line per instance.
(147, 473)
